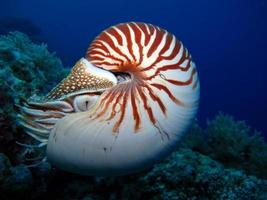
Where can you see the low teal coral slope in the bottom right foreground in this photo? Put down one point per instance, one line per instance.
(190, 175)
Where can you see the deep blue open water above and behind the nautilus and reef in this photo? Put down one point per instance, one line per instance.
(227, 39)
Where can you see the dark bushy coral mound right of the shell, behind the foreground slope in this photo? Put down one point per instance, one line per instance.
(232, 143)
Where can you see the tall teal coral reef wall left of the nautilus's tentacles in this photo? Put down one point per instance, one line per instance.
(25, 69)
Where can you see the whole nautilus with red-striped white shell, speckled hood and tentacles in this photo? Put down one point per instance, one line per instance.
(122, 108)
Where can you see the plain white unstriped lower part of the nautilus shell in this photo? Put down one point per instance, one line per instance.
(84, 146)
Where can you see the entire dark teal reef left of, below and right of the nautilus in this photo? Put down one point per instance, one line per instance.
(226, 160)
